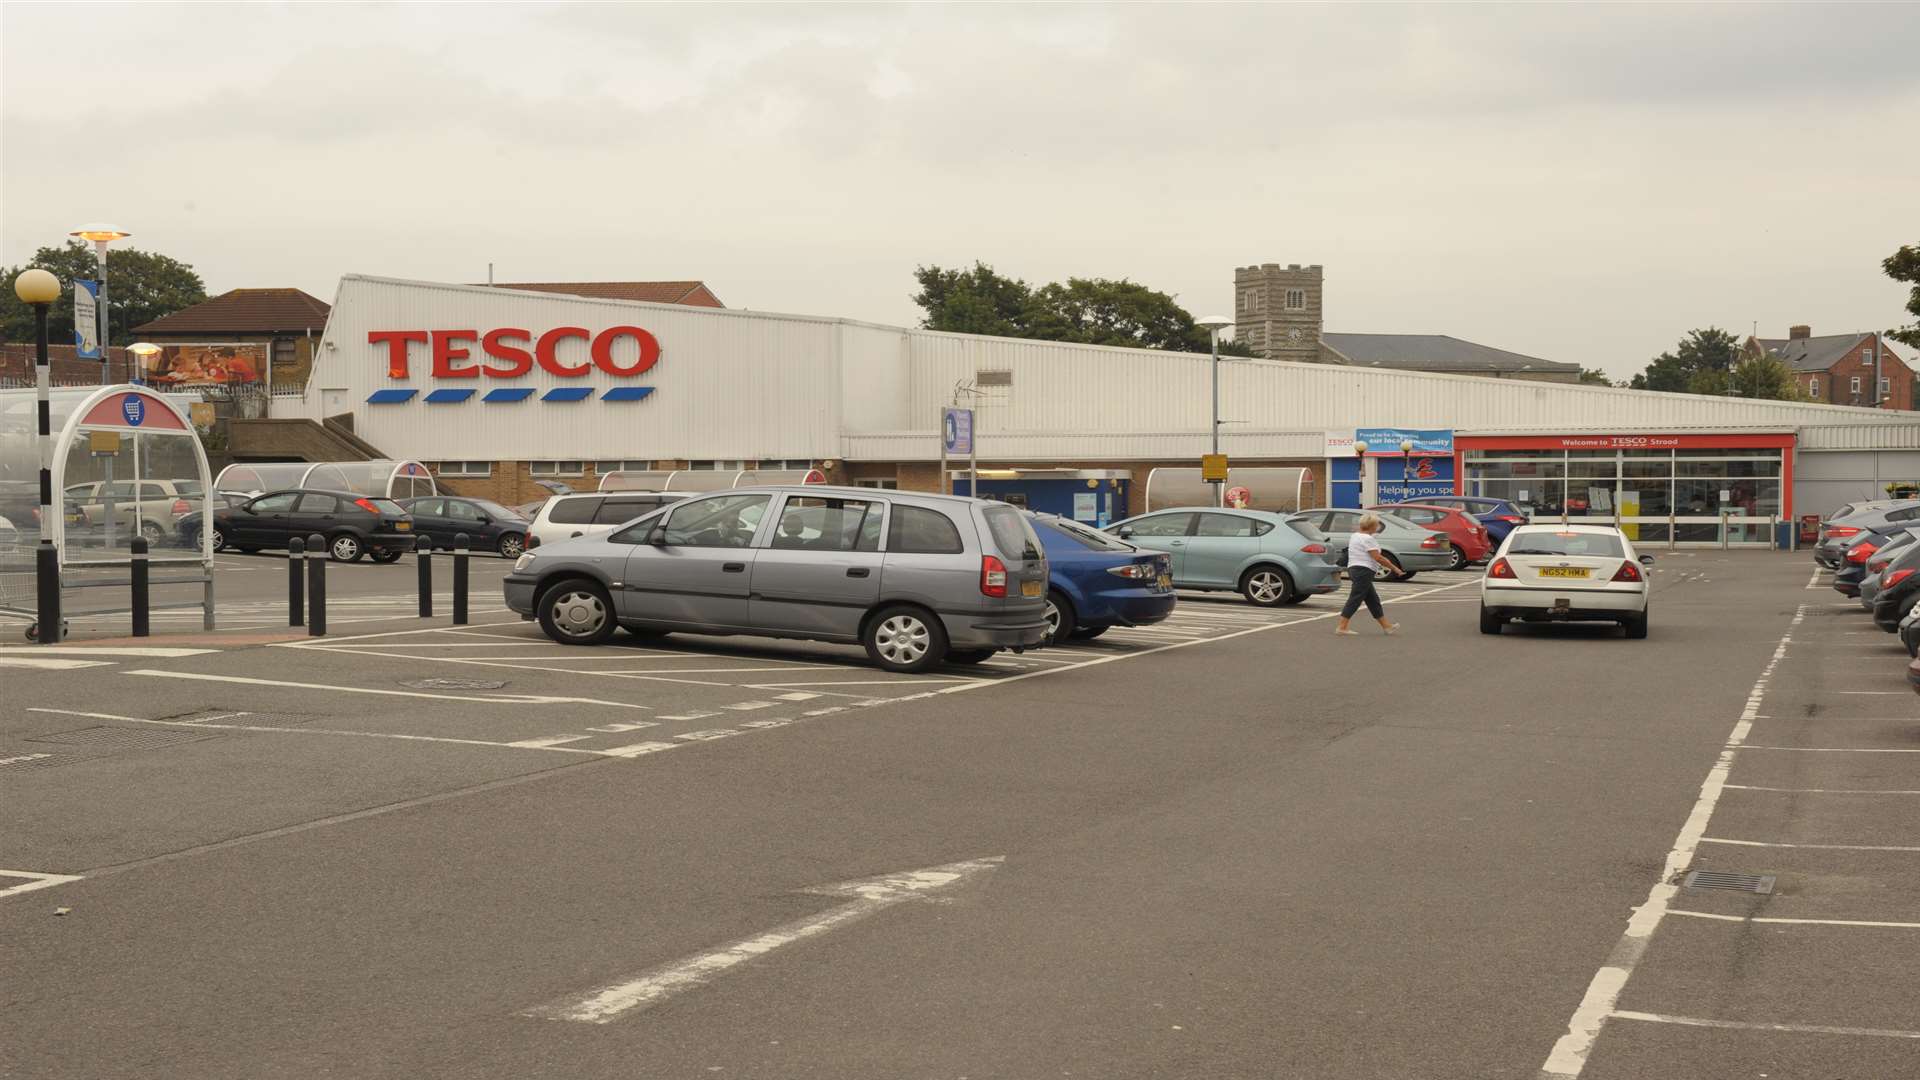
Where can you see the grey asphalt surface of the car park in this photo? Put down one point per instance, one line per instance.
(1228, 847)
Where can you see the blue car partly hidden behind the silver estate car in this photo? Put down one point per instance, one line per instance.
(1099, 583)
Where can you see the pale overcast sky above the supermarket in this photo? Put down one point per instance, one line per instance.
(1575, 184)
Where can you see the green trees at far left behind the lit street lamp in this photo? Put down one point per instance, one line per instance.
(141, 287)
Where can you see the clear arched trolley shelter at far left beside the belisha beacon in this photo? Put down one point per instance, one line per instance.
(126, 462)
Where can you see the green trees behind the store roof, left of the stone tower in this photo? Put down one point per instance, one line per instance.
(1080, 310)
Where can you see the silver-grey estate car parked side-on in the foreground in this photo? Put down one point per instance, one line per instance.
(919, 579)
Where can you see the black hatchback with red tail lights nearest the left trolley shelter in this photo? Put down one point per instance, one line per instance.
(352, 526)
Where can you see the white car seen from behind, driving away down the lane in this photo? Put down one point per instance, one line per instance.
(1550, 574)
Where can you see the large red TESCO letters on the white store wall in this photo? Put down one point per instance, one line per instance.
(512, 353)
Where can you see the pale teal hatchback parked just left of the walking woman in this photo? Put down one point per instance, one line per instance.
(1262, 556)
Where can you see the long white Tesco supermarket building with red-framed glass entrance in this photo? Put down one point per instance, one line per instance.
(500, 389)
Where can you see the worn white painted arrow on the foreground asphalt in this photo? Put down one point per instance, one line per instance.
(869, 896)
